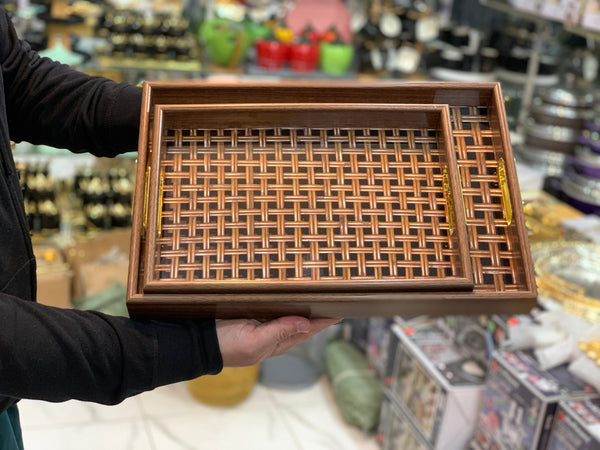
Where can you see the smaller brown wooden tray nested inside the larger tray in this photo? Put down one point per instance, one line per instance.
(303, 198)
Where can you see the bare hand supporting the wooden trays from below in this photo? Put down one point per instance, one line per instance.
(245, 342)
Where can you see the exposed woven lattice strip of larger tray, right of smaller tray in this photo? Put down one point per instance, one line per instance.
(495, 256)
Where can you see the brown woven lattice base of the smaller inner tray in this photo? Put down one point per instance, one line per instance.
(304, 204)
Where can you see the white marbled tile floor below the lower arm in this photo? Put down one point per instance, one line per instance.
(169, 418)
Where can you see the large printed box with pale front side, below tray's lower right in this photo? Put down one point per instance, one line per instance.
(437, 384)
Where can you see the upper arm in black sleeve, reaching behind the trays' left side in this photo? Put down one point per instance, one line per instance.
(50, 103)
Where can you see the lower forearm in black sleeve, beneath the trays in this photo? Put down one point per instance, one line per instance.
(59, 354)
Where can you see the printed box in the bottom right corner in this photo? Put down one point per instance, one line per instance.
(576, 426)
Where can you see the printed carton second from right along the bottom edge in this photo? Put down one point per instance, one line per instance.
(520, 400)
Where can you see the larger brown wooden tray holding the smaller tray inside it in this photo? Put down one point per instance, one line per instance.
(496, 236)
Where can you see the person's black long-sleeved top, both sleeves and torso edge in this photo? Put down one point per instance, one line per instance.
(54, 354)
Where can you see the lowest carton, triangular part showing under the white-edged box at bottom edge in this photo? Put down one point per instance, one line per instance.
(395, 431)
